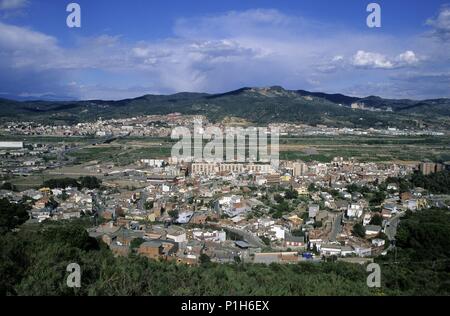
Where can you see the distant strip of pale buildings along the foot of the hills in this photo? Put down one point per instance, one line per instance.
(162, 126)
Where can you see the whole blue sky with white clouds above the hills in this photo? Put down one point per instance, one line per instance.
(127, 48)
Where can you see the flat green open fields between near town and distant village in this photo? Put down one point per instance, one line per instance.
(127, 151)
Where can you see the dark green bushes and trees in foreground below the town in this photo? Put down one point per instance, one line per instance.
(34, 260)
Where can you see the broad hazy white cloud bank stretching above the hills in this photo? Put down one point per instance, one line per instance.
(206, 54)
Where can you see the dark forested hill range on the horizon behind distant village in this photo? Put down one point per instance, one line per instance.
(256, 105)
